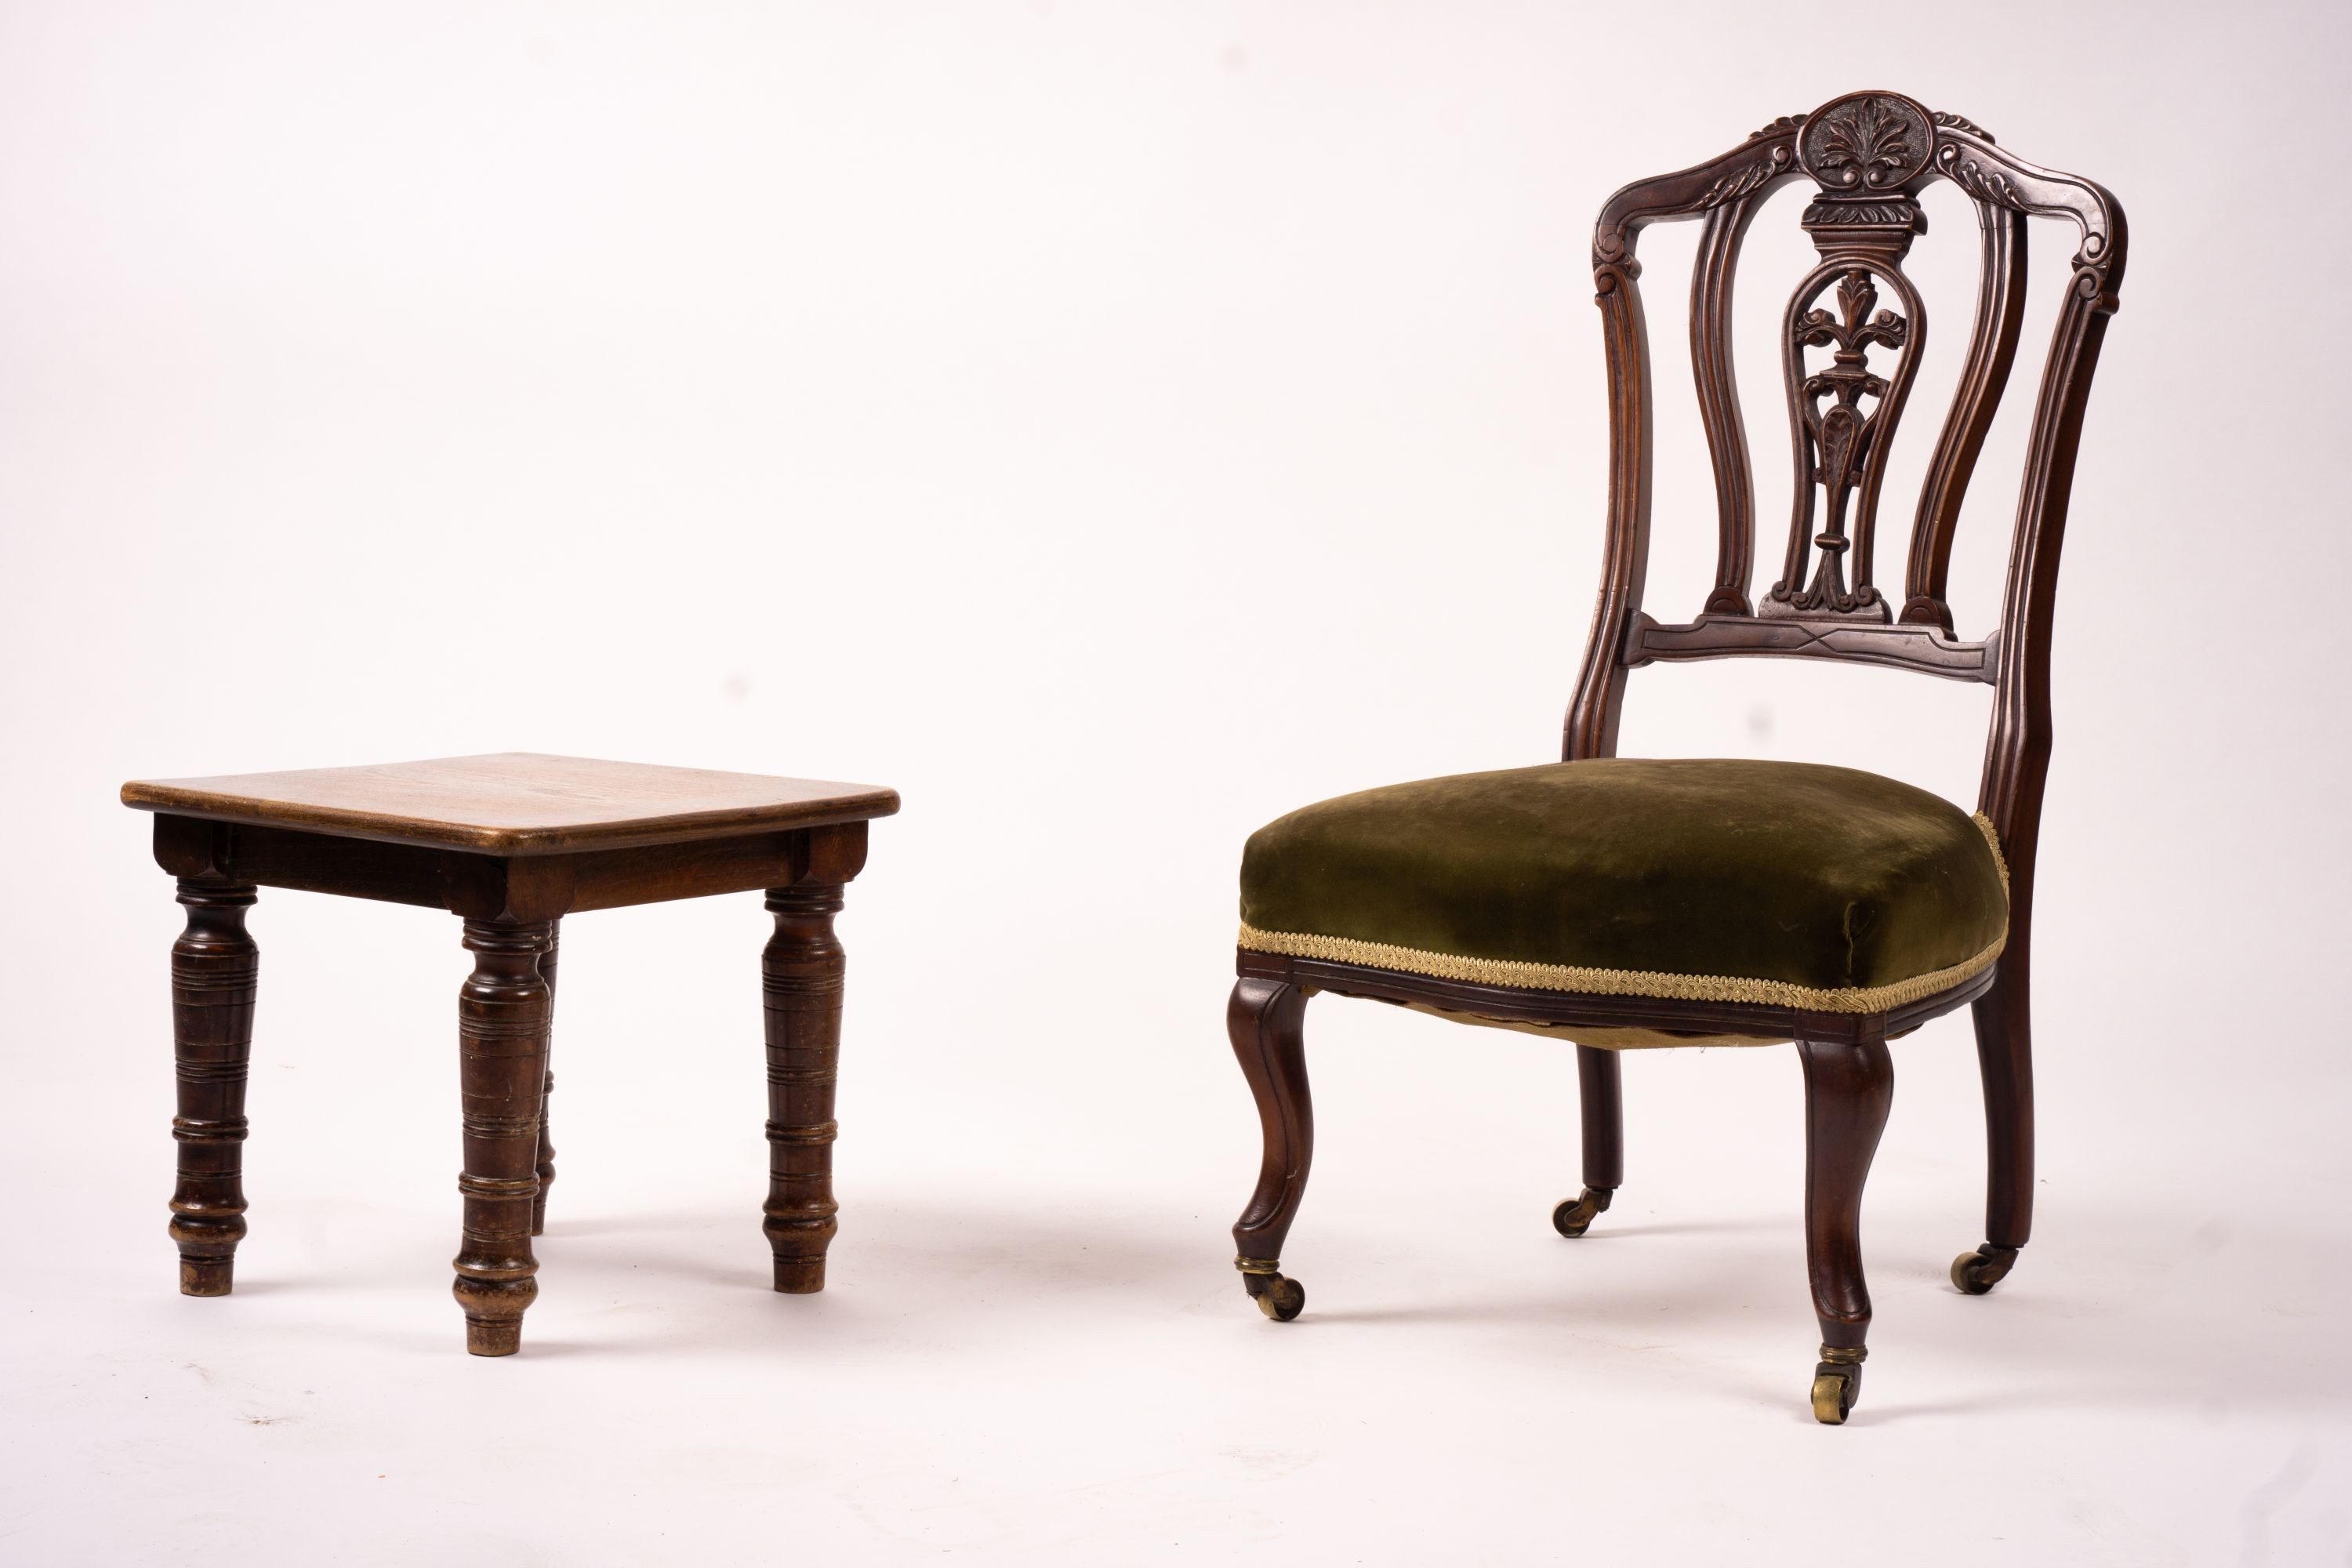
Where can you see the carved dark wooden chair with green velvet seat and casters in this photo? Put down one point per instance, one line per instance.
(1666, 904)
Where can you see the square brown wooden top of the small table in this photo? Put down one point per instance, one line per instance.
(516, 803)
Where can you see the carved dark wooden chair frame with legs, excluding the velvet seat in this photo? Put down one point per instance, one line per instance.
(1852, 340)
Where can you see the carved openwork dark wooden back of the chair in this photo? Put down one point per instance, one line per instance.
(1850, 347)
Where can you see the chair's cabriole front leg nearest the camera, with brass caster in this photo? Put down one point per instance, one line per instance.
(1847, 1092)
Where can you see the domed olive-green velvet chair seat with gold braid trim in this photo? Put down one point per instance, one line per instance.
(1772, 883)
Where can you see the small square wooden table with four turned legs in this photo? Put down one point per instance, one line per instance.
(512, 845)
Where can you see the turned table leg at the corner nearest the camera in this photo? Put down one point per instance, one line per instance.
(502, 1038)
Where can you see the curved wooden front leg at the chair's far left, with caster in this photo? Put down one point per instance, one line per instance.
(1267, 1026)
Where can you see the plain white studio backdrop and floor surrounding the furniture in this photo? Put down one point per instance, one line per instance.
(1116, 427)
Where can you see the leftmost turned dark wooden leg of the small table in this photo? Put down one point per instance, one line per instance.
(215, 974)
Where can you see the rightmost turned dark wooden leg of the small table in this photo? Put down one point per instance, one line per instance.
(803, 998)
